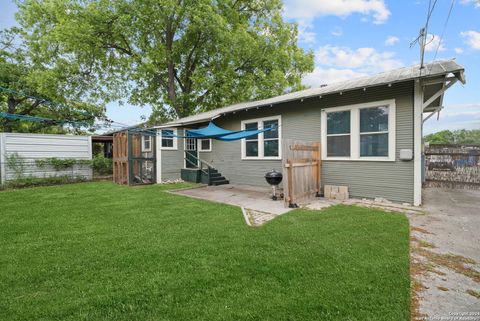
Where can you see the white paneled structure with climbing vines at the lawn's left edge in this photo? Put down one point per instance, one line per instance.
(33, 148)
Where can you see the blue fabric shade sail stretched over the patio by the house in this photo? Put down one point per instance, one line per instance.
(215, 132)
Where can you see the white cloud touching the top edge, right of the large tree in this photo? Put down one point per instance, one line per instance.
(310, 9)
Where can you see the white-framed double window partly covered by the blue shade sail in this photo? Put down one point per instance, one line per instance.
(265, 145)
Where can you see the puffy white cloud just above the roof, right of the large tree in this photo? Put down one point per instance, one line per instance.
(341, 63)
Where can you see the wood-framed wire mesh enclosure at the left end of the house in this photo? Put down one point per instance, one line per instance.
(134, 158)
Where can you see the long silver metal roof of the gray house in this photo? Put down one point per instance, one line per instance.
(431, 70)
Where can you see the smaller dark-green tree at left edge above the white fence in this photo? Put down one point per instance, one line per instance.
(34, 89)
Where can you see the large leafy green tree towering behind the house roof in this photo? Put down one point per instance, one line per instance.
(180, 56)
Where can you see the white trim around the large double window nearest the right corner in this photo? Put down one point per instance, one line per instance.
(355, 131)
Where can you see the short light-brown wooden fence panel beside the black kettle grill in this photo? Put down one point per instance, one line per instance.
(301, 163)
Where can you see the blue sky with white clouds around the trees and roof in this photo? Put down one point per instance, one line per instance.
(360, 37)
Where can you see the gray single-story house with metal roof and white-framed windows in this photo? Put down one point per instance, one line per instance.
(370, 131)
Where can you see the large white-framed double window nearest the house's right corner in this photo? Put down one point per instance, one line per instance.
(359, 132)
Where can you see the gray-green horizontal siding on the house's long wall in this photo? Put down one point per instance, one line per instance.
(301, 121)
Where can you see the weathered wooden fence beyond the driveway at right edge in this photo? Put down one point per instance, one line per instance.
(452, 166)
